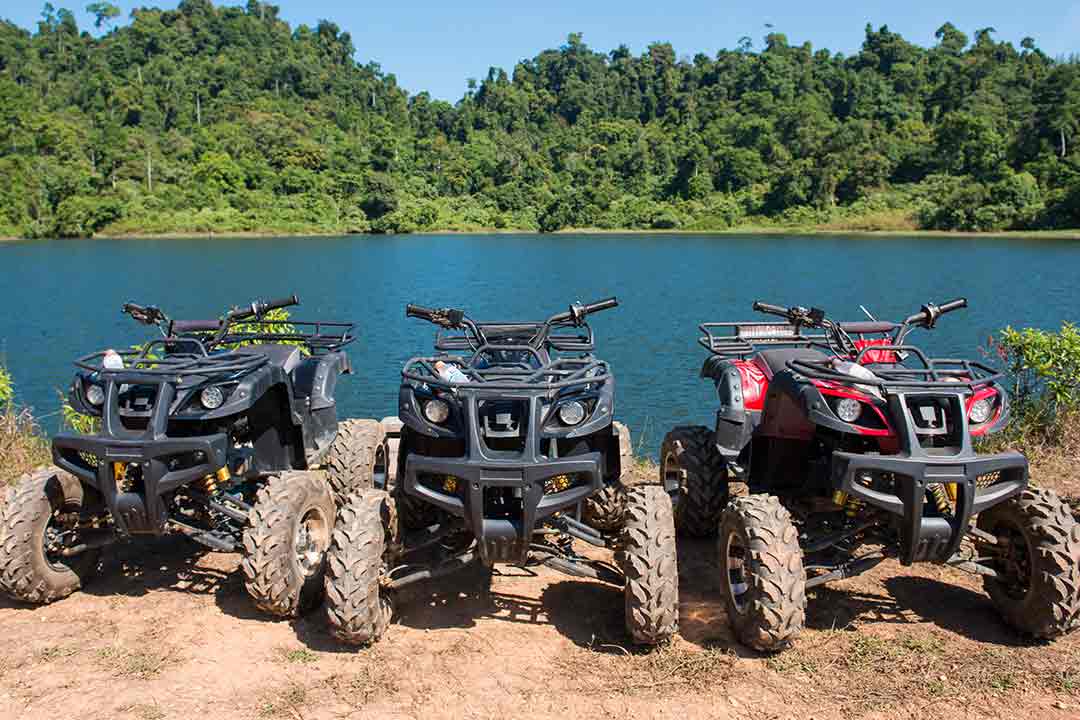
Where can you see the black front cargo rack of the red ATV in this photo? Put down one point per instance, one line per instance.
(937, 373)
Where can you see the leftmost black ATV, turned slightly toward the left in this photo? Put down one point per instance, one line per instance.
(214, 431)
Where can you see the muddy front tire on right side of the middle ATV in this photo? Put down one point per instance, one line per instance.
(647, 559)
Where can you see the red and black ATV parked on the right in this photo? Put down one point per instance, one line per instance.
(856, 446)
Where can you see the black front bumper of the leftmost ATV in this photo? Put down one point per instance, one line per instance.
(134, 474)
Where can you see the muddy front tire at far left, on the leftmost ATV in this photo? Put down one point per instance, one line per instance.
(26, 573)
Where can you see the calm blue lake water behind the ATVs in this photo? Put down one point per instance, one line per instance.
(64, 297)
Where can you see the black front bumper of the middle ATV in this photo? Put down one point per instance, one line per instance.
(503, 501)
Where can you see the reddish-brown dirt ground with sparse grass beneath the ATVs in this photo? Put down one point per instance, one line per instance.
(168, 632)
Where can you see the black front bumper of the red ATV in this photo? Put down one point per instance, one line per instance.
(898, 485)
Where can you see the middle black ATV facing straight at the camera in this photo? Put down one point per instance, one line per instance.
(505, 456)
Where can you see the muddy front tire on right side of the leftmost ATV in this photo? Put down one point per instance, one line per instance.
(285, 563)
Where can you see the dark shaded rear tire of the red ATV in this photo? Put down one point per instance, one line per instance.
(693, 469)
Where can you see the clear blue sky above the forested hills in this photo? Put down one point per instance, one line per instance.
(436, 46)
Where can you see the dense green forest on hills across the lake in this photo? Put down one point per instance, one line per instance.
(226, 119)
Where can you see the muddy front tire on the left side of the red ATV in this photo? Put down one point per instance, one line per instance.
(762, 576)
